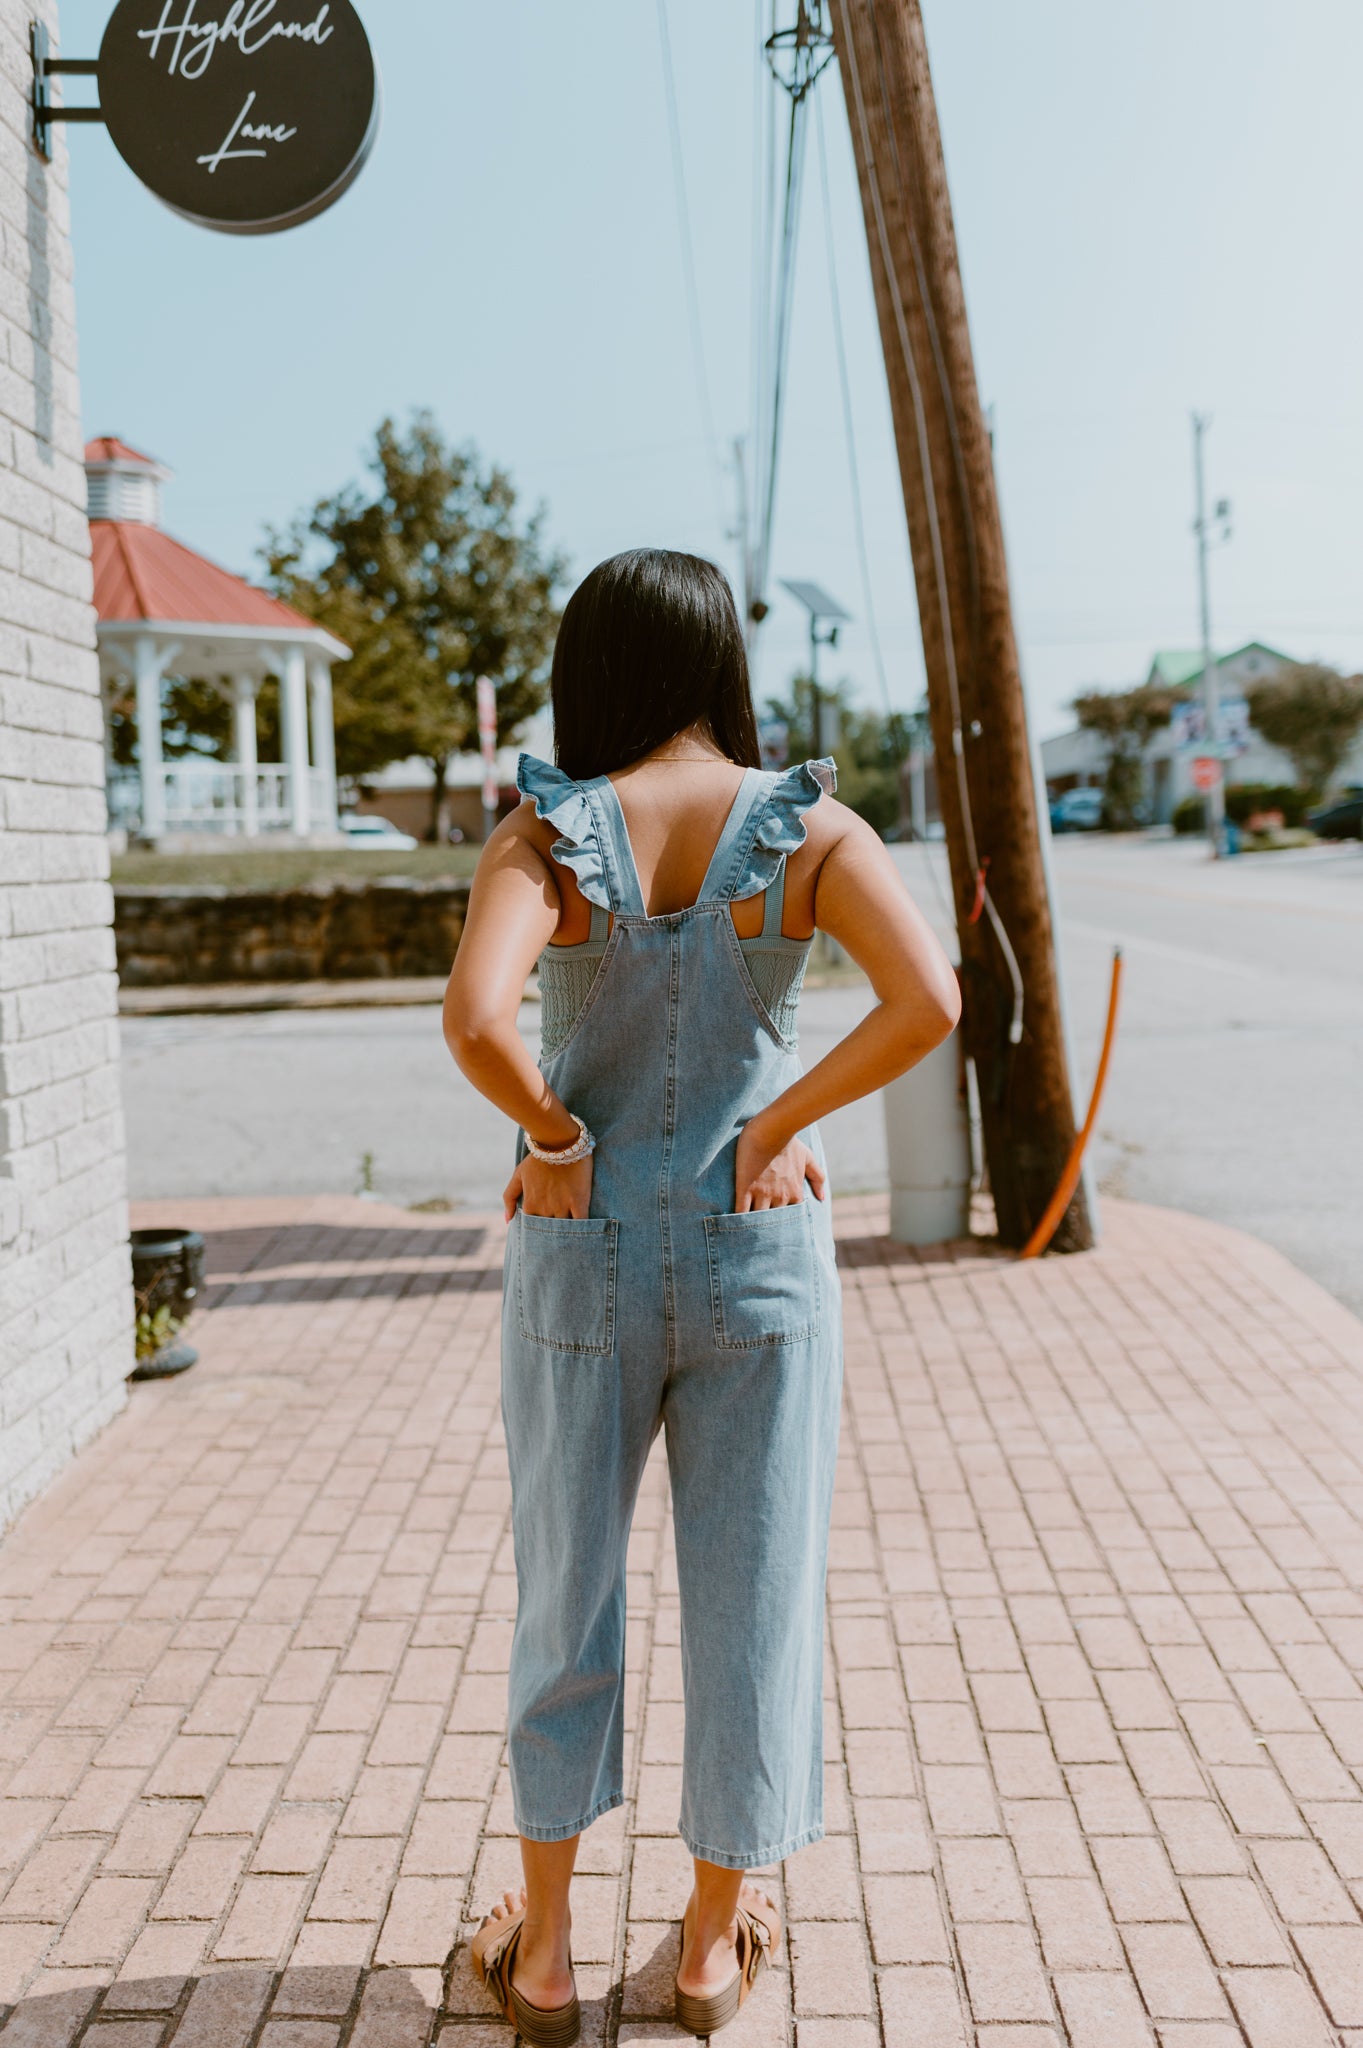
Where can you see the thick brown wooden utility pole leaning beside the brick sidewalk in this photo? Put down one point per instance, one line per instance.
(1012, 992)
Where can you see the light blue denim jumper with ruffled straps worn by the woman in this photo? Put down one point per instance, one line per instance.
(664, 1310)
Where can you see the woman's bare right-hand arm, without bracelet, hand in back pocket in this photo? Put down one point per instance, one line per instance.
(865, 906)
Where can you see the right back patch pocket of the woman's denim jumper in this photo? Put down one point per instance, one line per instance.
(764, 1277)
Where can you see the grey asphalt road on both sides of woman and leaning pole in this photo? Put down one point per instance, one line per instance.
(1237, 1086)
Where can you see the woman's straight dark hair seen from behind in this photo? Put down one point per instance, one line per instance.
(650, 646)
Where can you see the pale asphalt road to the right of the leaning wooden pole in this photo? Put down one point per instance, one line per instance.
(1237, 1086)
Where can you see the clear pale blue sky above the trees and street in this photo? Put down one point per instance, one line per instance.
(1157, 210)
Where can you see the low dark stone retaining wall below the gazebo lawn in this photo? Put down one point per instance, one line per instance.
(333, 933)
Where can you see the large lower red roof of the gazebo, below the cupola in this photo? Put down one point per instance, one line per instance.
(140, 572)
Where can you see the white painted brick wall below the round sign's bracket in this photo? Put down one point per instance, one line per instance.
(64, 1271)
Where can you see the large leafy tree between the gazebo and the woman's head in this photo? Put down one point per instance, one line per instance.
(433, 581)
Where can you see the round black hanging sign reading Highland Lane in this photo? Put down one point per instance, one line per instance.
(245, 116)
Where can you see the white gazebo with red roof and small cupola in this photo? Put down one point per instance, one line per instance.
(167, 611)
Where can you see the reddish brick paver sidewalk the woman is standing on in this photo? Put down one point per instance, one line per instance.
(1096, 1725)
